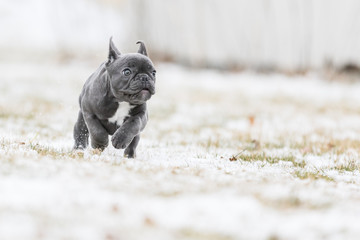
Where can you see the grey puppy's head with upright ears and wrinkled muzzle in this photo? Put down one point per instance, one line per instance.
(132, 76)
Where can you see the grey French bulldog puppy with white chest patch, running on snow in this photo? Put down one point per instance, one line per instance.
(113, 101)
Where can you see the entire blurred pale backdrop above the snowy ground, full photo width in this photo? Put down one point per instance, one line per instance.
(264, 35)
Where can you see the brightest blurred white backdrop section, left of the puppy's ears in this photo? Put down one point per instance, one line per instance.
(43, 29)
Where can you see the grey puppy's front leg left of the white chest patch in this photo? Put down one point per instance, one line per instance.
(98, 135)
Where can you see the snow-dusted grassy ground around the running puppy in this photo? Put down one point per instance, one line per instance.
(296, 175)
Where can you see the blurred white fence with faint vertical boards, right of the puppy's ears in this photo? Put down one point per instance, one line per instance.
(283, 34)
